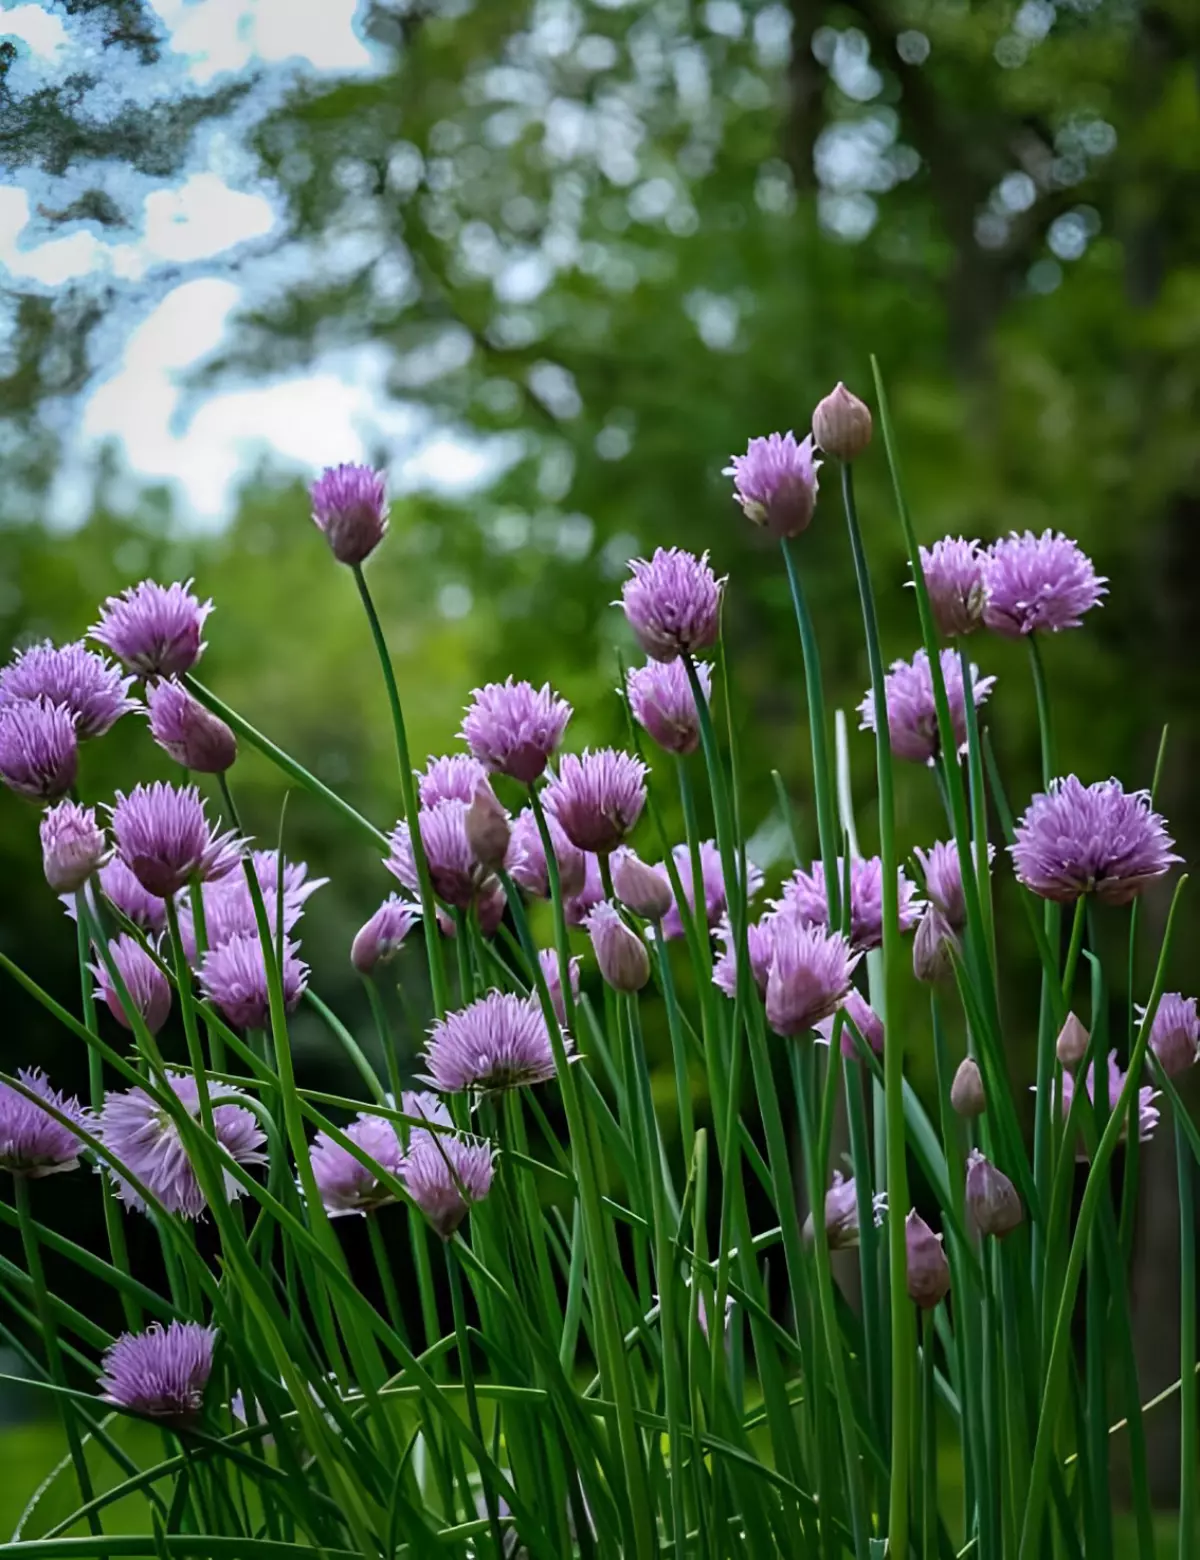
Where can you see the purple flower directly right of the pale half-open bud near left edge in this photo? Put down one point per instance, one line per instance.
(166, 840)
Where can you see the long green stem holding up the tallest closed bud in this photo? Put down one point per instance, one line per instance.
(903, 1328)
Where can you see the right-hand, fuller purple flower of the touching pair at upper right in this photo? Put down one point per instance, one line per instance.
(1038, 584)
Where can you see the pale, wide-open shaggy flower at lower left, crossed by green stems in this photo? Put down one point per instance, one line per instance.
(140, 1133)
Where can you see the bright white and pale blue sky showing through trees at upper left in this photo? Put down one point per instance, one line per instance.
(216, 213)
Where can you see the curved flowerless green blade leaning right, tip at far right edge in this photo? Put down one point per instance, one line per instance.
(1095, 1191)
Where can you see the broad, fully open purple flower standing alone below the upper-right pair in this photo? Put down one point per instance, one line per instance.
(1092, 840)
